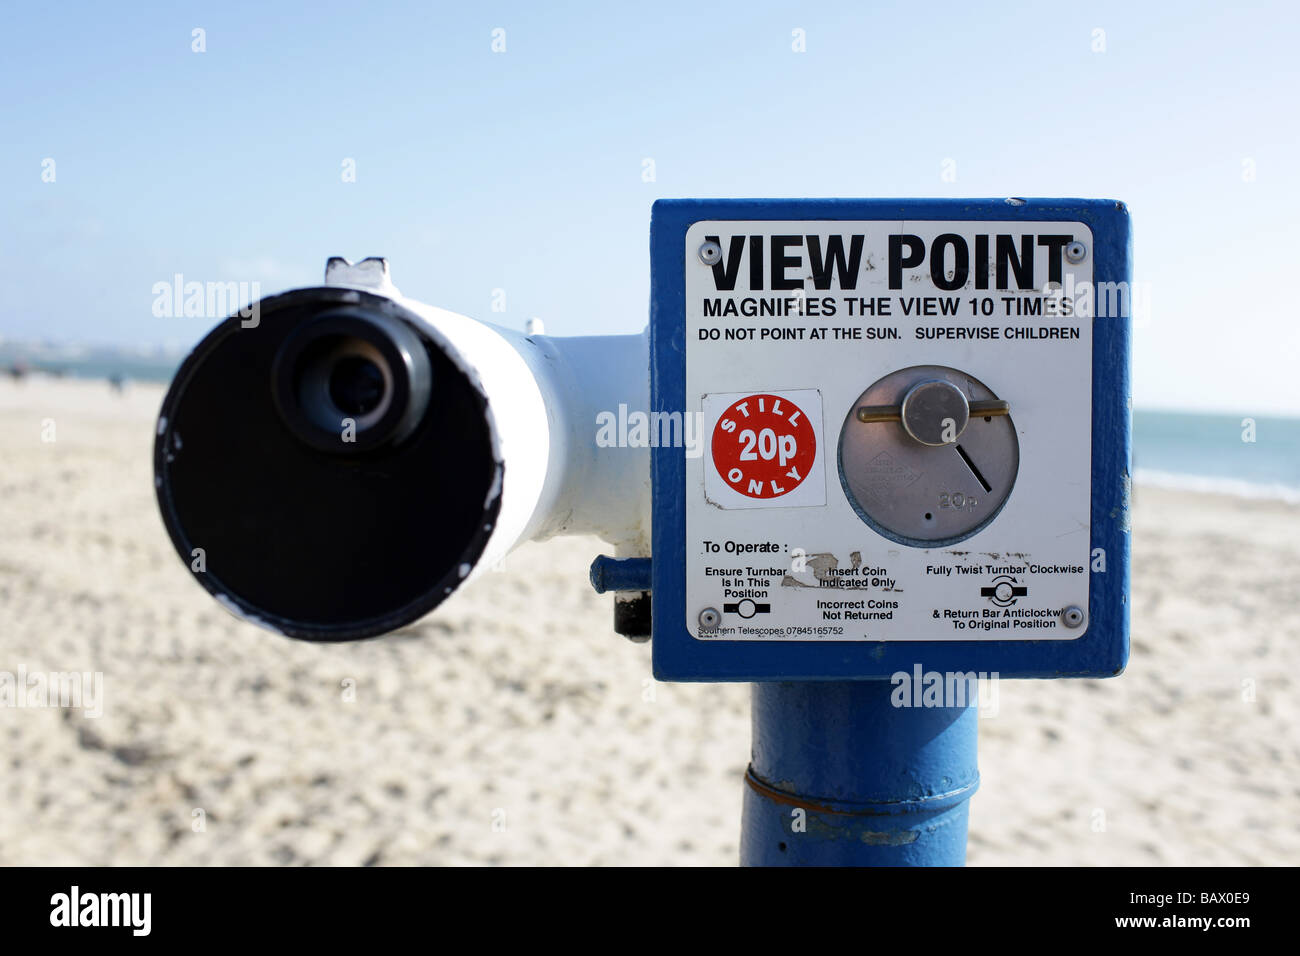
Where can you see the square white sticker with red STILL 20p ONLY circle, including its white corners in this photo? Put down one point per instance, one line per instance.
(765, 449)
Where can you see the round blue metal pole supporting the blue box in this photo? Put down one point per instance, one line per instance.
(842, 777)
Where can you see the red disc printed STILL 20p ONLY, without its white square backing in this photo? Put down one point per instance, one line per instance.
(764, 447)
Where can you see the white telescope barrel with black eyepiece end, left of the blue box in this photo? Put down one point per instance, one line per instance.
(341, 465)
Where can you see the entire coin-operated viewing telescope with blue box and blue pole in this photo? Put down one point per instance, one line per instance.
(911, 479)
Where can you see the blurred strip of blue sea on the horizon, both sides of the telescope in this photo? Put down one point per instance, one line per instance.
(1246, 456)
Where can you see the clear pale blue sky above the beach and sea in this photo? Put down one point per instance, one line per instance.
(523, 171)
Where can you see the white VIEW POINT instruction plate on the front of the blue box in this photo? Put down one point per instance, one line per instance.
(788, 327)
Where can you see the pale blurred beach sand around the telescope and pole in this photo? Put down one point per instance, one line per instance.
(515, 728)
